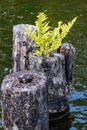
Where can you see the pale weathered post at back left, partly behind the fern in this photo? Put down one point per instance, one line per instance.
(22, 45)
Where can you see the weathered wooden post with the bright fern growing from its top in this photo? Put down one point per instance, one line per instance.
(54, 67)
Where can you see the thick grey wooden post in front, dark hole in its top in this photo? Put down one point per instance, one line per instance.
(24, 101)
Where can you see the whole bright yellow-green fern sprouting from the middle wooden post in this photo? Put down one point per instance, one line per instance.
(48, 40)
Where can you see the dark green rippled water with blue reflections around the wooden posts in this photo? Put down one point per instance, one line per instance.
(14, 12)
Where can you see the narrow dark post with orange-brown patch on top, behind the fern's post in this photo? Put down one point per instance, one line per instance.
(69, 53)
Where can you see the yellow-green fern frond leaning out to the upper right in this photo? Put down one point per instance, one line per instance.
(60, 32)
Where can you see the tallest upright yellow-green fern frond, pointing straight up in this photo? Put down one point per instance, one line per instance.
(41, 39)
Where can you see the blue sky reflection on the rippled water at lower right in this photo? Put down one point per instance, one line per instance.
(78, 109)
